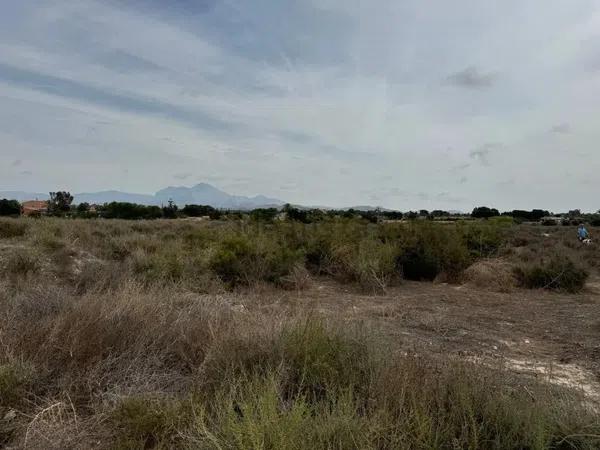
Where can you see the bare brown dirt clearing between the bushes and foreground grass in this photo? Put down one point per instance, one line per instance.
(552, 336)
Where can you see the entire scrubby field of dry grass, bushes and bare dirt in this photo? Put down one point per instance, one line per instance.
(336, 335)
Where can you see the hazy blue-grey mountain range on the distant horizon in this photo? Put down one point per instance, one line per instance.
(201, 194)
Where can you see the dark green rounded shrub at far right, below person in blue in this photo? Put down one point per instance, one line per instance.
(558, 273)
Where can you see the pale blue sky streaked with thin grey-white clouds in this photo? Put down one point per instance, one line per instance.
(404, 104)
